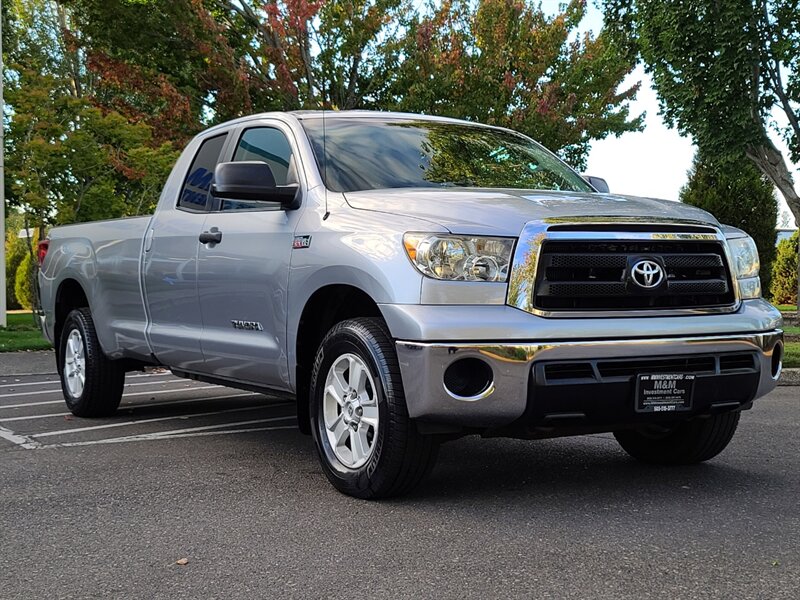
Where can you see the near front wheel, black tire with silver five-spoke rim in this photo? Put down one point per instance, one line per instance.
(366, 442)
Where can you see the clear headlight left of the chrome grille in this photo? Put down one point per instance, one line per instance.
(459, 258)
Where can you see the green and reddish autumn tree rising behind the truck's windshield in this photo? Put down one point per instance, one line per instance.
(505, 62)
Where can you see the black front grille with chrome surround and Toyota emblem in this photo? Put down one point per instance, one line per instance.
(585, 269)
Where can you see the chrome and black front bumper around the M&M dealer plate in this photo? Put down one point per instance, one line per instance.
(521, 391)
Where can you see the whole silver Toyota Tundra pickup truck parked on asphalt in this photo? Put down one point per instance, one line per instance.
(410, 280)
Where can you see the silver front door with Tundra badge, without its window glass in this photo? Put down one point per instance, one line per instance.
(242, 280)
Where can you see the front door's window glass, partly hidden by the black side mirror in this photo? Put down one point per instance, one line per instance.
(269, 145)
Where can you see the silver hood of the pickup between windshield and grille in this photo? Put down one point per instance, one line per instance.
(505, 212)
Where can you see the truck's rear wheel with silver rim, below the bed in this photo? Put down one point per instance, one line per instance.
(92, 384)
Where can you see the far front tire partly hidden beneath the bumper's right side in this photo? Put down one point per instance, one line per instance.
(691, 442)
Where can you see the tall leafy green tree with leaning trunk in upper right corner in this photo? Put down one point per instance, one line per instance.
(721, 69)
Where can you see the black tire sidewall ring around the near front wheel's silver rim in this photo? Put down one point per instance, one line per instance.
(348, 340)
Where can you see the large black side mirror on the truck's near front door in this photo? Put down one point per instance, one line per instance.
(253, 181)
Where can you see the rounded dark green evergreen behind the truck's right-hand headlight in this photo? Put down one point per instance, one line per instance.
(737, 194)
